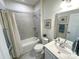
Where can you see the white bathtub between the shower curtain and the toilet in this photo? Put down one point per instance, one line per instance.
(28, 44)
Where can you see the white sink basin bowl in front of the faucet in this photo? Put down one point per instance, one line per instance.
(64, 49)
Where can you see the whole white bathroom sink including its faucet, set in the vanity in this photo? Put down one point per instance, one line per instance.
(63, 46)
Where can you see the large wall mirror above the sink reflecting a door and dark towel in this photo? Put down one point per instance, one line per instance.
(67, 25)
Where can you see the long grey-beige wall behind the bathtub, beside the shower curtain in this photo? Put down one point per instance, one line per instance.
(25, 24)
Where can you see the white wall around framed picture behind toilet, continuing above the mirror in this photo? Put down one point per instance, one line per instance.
(50, 8)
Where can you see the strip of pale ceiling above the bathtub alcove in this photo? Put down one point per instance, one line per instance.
(28, 2)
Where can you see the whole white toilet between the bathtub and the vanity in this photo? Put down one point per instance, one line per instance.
(39, 48)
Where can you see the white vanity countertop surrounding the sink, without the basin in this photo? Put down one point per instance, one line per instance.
(53, 49)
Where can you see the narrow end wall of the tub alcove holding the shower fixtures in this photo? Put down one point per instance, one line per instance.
(37, 20)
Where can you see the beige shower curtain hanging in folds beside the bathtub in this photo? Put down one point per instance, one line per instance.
(11, 32)
